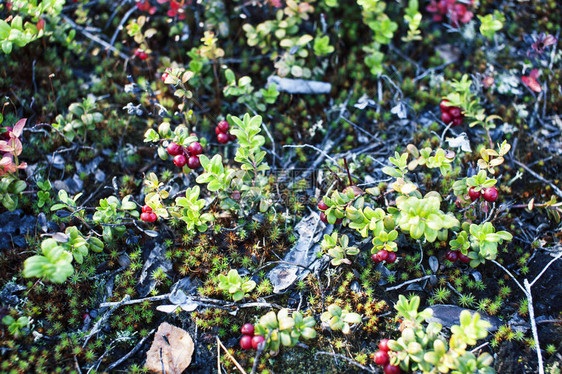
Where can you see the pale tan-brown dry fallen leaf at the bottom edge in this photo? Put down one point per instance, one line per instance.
(172, 347)
